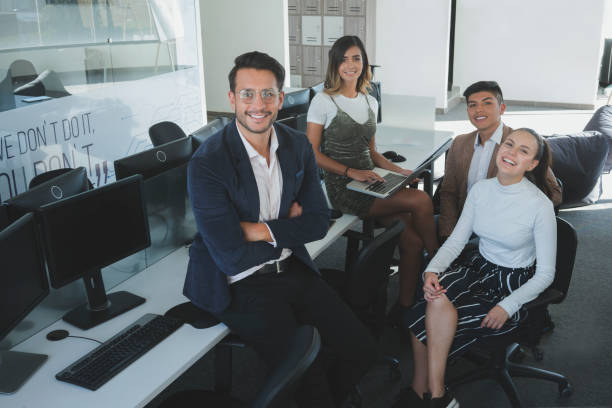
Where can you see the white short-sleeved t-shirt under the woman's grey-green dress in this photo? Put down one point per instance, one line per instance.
(322, 109)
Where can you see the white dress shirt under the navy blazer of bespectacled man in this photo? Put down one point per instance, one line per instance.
(269, 185)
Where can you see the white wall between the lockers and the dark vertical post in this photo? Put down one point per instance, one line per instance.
(412, 41)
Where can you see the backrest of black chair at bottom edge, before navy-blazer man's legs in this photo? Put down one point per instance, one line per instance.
(283, 381)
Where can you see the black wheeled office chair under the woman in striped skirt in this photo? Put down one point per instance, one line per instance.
(500, 351)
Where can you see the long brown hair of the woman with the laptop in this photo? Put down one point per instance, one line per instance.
(333, 82)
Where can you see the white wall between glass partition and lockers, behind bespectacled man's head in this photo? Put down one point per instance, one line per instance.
(233, 27)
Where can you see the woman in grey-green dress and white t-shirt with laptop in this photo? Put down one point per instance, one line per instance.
(342, 128)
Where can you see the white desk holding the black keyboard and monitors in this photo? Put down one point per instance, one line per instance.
(162, 286)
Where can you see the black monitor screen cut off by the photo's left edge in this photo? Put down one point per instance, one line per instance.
(23, 281)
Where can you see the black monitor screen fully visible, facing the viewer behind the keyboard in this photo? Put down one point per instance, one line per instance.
(94, 229)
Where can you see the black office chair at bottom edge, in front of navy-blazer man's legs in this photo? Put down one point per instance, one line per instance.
(278, 388)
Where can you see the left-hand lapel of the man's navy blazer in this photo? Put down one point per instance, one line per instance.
(242, 164)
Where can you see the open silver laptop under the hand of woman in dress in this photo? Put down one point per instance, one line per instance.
(394, 181)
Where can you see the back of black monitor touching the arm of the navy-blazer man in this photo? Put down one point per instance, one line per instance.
(156, 160)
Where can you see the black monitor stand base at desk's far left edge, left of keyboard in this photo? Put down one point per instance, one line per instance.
(16, 367)
